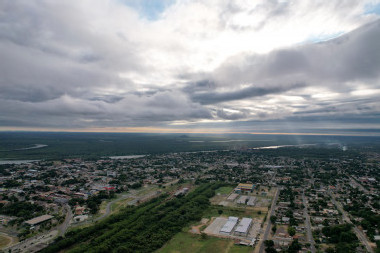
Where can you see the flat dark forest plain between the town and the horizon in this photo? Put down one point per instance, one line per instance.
(95, 145)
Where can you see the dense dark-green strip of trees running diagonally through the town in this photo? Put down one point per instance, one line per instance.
(140, 229)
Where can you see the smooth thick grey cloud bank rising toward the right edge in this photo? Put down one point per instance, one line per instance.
(352, 57)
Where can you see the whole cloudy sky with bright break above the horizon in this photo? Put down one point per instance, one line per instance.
(200, 66)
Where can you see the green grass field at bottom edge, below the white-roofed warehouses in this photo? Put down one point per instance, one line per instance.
(189, 243)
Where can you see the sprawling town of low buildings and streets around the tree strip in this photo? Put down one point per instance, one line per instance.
(280, 200)
